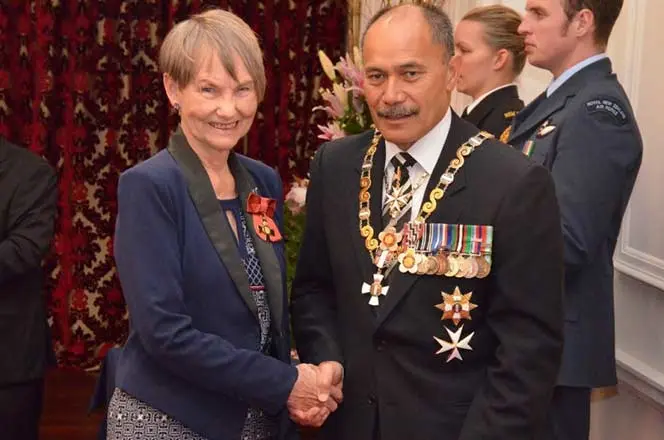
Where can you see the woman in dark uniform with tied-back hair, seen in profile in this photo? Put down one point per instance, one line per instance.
(490, 55)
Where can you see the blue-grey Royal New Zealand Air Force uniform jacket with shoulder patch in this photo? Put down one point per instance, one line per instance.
(594, 154)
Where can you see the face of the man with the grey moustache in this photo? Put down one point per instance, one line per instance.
(408, 80)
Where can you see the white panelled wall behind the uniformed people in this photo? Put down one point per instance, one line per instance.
(637, 412)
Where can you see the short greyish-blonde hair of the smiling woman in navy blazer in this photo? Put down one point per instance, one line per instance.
(214, 31)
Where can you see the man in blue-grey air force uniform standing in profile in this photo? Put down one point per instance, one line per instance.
(583, 130)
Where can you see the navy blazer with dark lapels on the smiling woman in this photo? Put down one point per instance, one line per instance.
(192, 348)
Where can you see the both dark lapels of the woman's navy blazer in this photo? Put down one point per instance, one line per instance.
(218, 230)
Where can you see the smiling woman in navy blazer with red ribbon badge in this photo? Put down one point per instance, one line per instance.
(201, 260)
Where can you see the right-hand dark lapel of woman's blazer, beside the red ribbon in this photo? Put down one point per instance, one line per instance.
(269, 264)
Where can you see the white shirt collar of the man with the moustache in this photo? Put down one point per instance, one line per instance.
(427, 149)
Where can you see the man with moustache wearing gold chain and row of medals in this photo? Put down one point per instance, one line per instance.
(431, 340)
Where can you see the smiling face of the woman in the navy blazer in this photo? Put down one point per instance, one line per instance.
(216, 111)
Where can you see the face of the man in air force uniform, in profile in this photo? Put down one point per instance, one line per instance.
(546, 29)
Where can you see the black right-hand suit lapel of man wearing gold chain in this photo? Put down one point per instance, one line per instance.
(448, 210)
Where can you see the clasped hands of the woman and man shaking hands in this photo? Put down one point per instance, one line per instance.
(316, 393)
